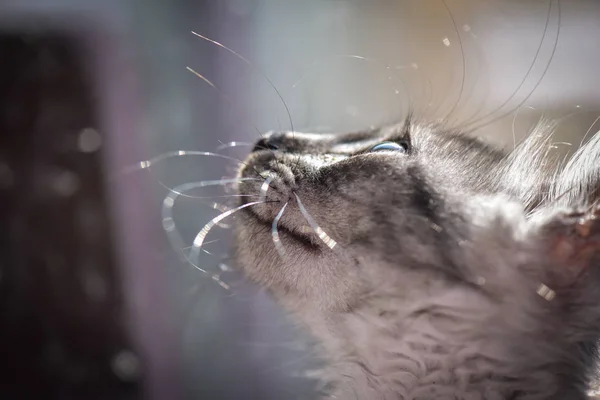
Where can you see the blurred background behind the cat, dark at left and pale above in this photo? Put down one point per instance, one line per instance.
(96, 300)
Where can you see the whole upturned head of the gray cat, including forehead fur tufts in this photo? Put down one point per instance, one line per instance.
(405, 211)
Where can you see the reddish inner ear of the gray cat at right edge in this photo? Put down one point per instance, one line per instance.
(573, 240)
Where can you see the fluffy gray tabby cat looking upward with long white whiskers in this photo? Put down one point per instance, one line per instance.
(437, 267)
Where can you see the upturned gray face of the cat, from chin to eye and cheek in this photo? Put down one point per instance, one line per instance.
(394, 203)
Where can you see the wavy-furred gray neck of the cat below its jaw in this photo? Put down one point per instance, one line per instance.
(390, 353)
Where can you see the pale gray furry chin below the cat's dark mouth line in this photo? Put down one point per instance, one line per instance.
(321, 279)
